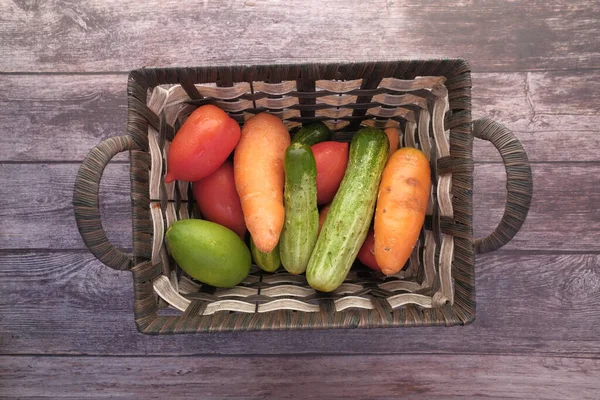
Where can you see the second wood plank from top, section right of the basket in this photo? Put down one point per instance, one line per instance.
(555, 115)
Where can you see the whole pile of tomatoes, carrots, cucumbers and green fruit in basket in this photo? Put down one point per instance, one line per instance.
(265, 204)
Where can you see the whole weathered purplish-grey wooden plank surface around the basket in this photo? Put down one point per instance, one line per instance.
(66, 321)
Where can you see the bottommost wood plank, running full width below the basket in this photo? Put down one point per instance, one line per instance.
(355, 377)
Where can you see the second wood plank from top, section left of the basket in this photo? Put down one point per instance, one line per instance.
(58, 117)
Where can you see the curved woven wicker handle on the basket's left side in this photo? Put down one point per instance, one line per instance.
(85, 202)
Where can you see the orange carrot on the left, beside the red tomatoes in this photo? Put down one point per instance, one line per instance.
(259, 174)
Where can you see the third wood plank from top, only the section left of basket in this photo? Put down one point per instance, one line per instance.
(39, 214)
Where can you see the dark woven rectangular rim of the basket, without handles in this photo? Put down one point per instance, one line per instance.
(147, 319)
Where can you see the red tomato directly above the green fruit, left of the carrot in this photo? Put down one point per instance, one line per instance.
(218, 199)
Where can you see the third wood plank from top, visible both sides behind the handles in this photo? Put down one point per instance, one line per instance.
(38, 214)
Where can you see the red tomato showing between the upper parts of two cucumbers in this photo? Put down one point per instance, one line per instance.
(331, 159)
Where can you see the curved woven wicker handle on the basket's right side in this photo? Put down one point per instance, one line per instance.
(519, 183)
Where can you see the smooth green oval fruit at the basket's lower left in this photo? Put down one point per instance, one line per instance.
(209, 252)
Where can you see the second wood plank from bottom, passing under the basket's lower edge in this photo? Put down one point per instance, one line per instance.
(68, 303)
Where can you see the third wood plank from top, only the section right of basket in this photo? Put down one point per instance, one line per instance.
(563, 215)
